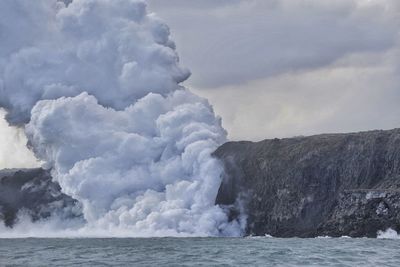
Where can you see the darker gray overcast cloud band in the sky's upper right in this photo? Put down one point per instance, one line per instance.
(231, 42)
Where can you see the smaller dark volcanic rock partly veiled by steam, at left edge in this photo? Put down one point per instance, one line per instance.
(32, 191)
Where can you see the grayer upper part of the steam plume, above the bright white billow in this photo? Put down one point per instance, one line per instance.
(111, 49)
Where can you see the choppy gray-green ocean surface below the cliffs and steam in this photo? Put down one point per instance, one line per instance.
(200, 252)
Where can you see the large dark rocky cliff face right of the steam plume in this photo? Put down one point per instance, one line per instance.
(335, 184)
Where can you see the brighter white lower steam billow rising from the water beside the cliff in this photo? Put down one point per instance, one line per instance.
(147, 167)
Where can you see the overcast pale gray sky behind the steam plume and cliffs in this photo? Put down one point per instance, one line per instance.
(281, 68)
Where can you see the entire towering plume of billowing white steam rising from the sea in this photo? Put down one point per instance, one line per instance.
(96, 85)
